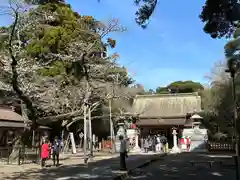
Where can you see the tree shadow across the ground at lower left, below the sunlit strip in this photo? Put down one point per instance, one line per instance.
(103, 169)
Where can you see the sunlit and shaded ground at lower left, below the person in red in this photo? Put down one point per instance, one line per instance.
(102, 167)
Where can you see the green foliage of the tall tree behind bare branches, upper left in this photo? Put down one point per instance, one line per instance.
(56, 33)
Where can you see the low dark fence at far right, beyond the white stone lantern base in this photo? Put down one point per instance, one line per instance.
(221, 146)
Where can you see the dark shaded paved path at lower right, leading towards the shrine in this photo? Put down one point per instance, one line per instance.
(179, 167)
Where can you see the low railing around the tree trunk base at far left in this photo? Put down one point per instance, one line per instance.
(19, 155)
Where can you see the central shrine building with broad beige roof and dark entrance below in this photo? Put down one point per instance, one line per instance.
(159, 113)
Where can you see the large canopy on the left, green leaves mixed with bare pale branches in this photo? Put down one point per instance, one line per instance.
(56, 60)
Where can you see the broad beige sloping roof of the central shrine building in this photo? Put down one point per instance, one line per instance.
(166, 105)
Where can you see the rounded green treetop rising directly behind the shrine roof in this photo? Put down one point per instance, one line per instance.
(181, 87)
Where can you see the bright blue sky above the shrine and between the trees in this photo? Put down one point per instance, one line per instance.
(173, 47)
